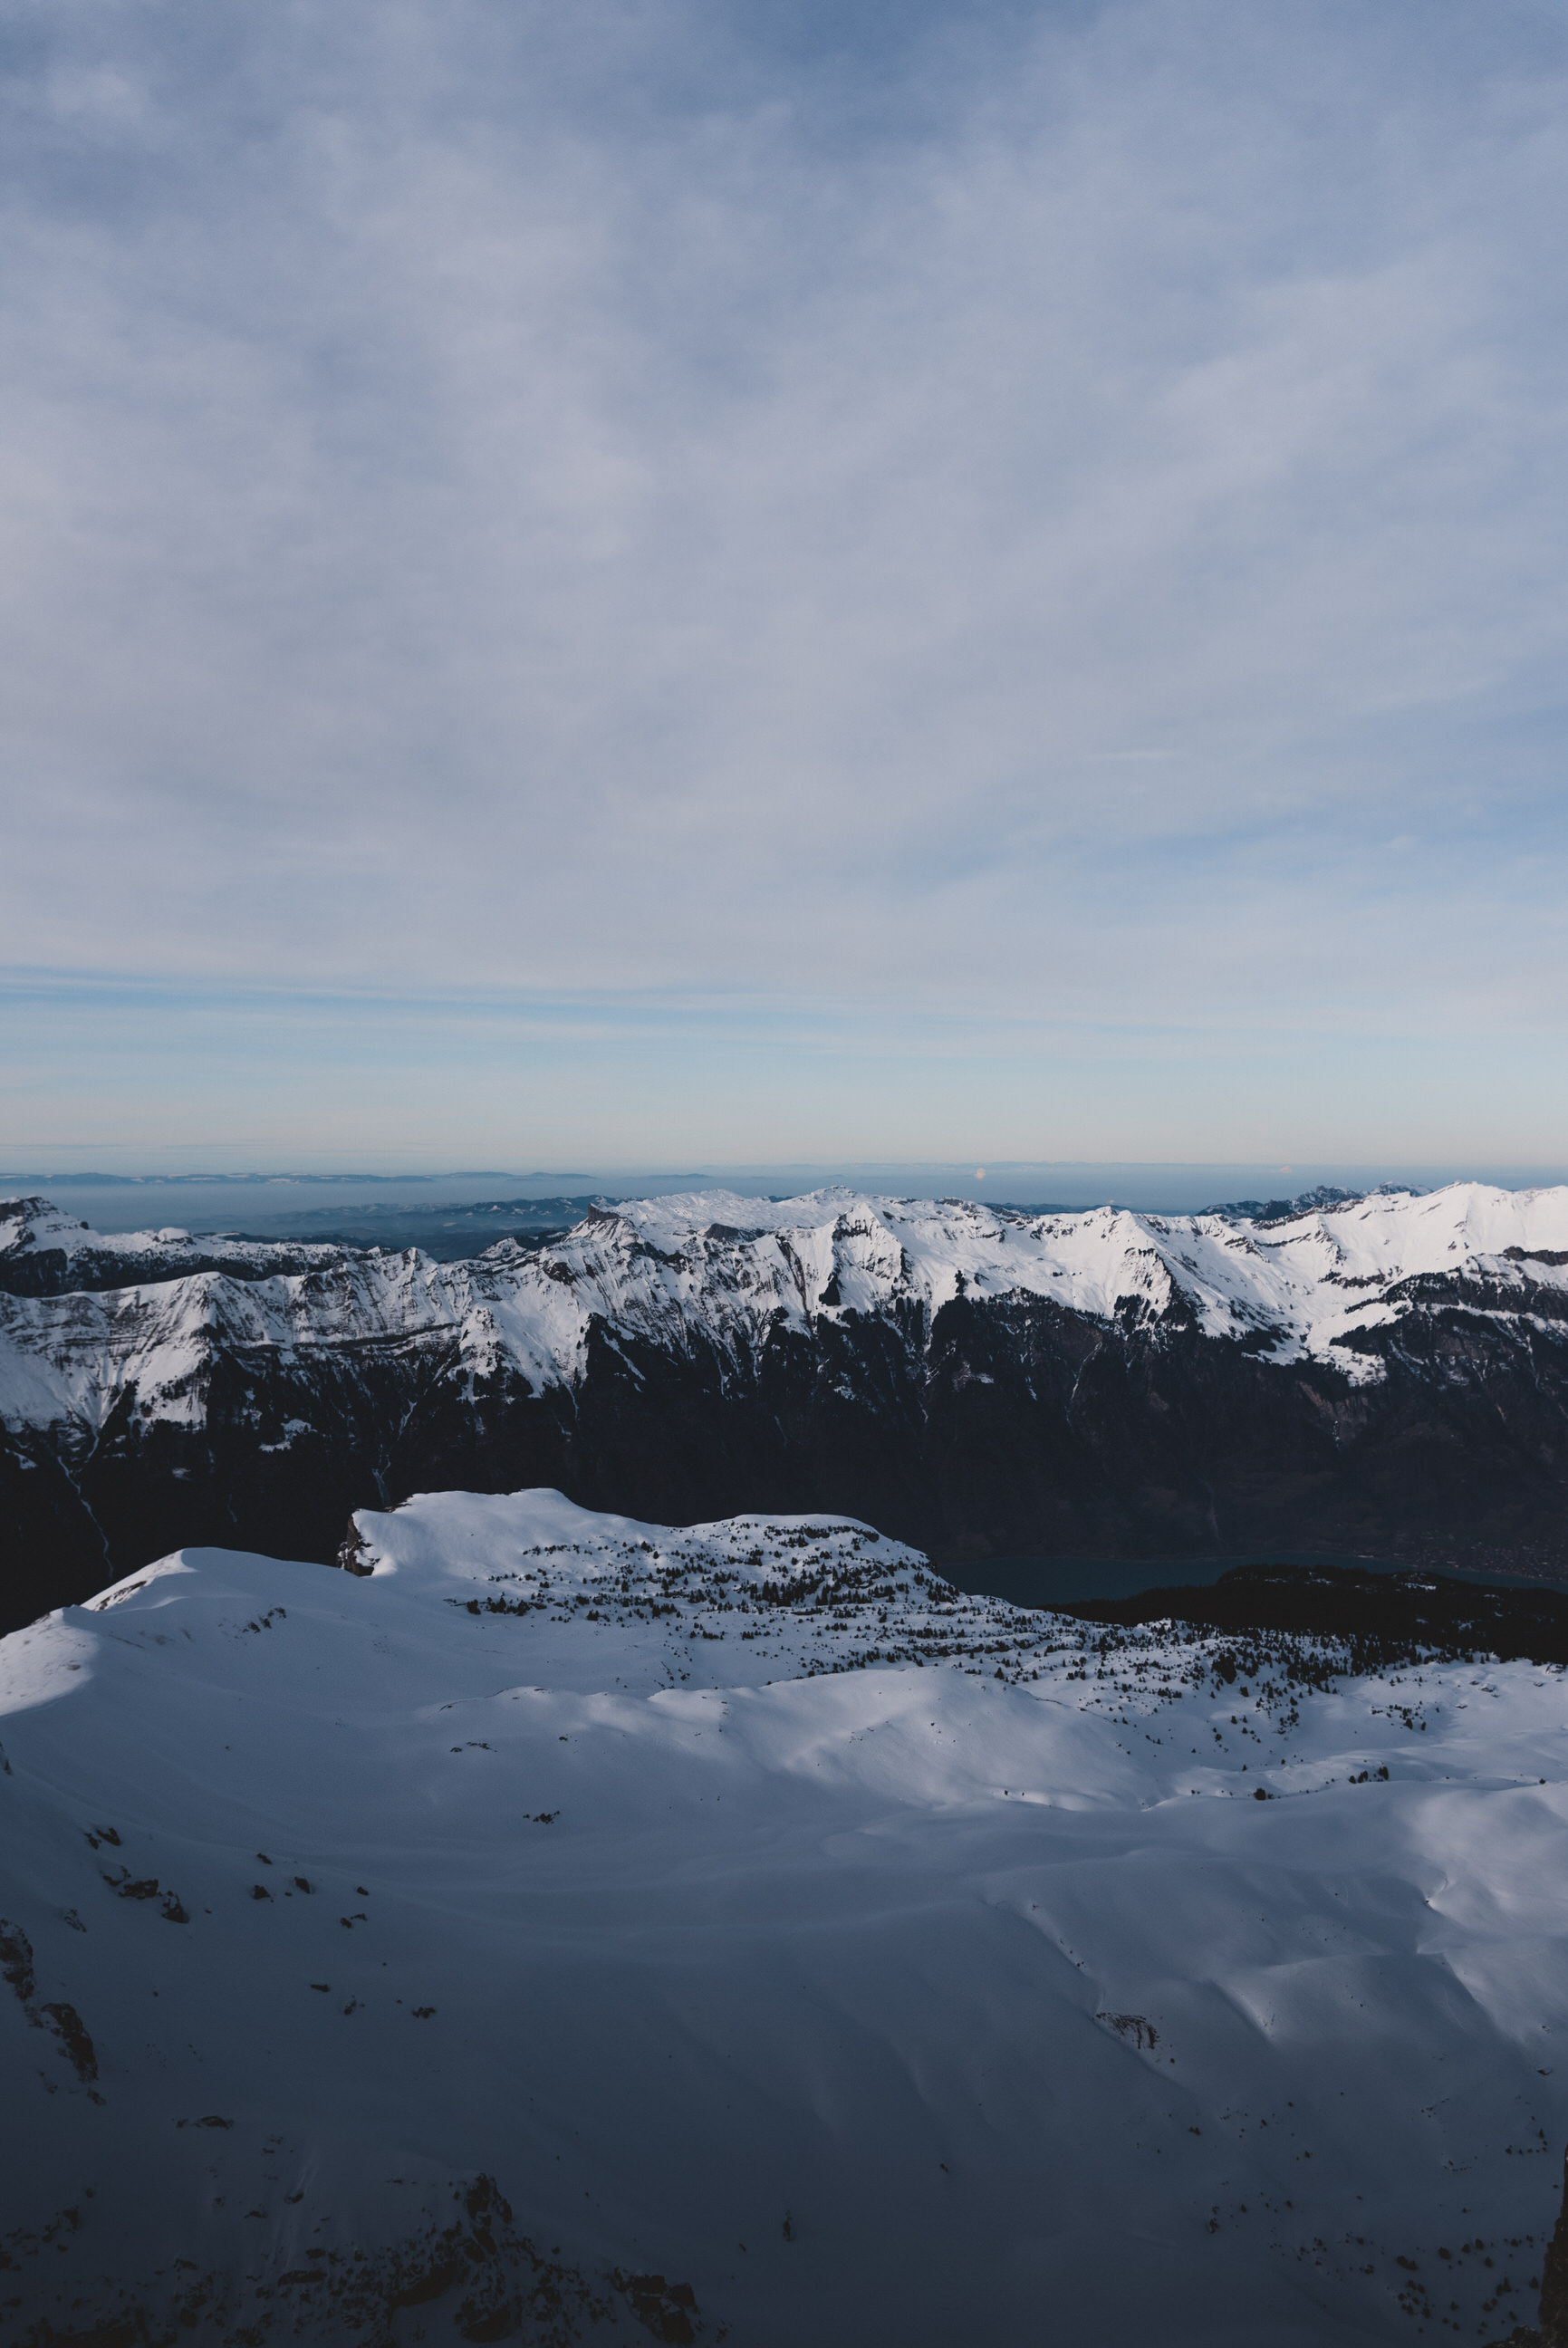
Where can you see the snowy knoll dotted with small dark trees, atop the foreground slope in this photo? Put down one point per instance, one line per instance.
(795, 1598)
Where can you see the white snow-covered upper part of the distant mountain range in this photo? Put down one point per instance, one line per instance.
(719, 1276)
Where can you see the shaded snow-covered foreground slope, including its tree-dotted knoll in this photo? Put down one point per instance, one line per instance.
(771, 1924)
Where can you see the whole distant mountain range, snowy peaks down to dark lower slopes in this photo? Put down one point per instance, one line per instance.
(1384, 1375)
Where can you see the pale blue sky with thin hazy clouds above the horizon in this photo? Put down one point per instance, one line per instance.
(680, 581)
